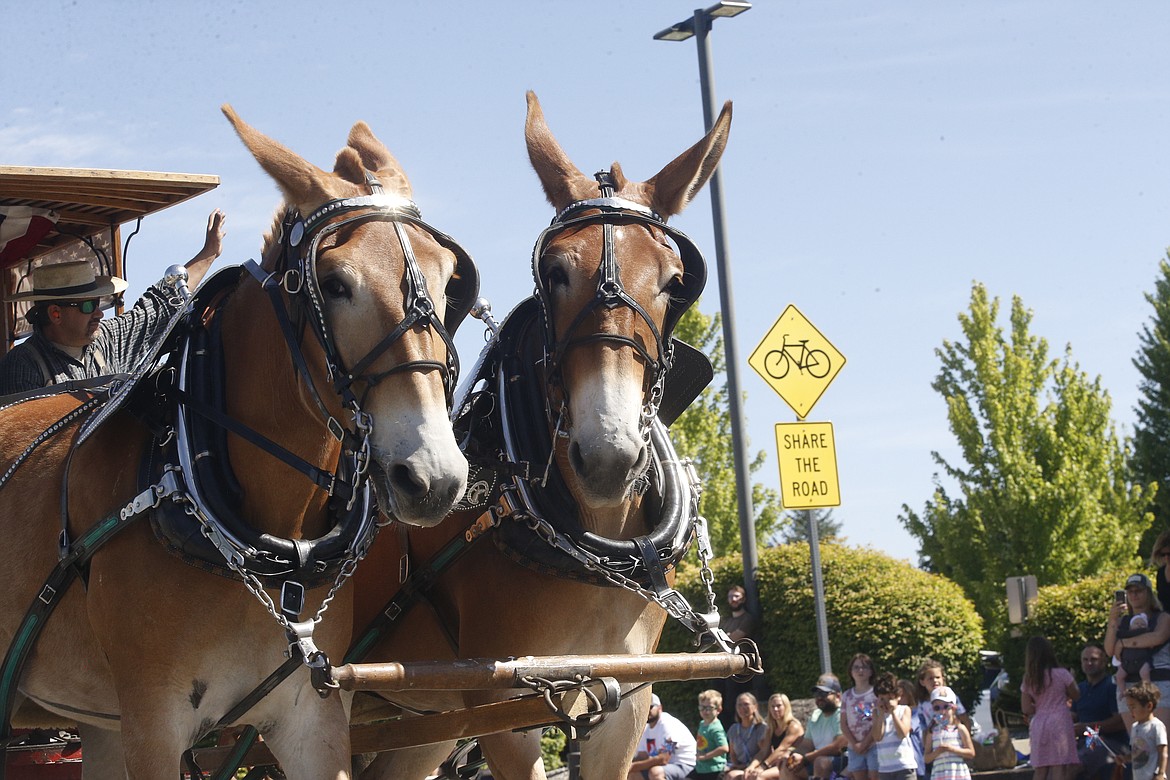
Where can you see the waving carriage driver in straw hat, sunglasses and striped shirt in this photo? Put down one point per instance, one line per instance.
(71, 341)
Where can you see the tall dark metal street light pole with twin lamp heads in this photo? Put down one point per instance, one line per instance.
(699, 26)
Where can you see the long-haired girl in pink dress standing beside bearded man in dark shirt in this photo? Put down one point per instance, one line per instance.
(1045, 695)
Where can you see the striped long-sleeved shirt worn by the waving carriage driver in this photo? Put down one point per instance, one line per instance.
(120, 344)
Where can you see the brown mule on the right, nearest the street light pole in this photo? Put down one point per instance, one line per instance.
(604, 372)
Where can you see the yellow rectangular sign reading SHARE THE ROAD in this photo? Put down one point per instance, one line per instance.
(808, 459)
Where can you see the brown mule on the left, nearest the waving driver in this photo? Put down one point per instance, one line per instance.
(152, 652)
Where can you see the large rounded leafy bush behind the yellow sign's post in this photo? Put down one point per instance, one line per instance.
(877, 605)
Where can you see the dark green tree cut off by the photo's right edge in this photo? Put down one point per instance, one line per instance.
(1151, 461)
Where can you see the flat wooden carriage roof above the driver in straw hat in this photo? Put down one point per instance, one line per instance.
(92, 201)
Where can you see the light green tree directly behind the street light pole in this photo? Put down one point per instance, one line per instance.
(704, 434)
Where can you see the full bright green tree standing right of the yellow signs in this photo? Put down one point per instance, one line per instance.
(1045, 489)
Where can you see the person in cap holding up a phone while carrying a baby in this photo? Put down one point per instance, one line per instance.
(1139, 624)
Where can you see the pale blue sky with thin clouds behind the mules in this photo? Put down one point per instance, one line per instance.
(883, 157)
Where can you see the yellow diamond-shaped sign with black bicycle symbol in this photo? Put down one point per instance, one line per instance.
(797, 361)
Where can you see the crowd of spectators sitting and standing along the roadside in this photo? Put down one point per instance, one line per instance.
(1110, 726)
